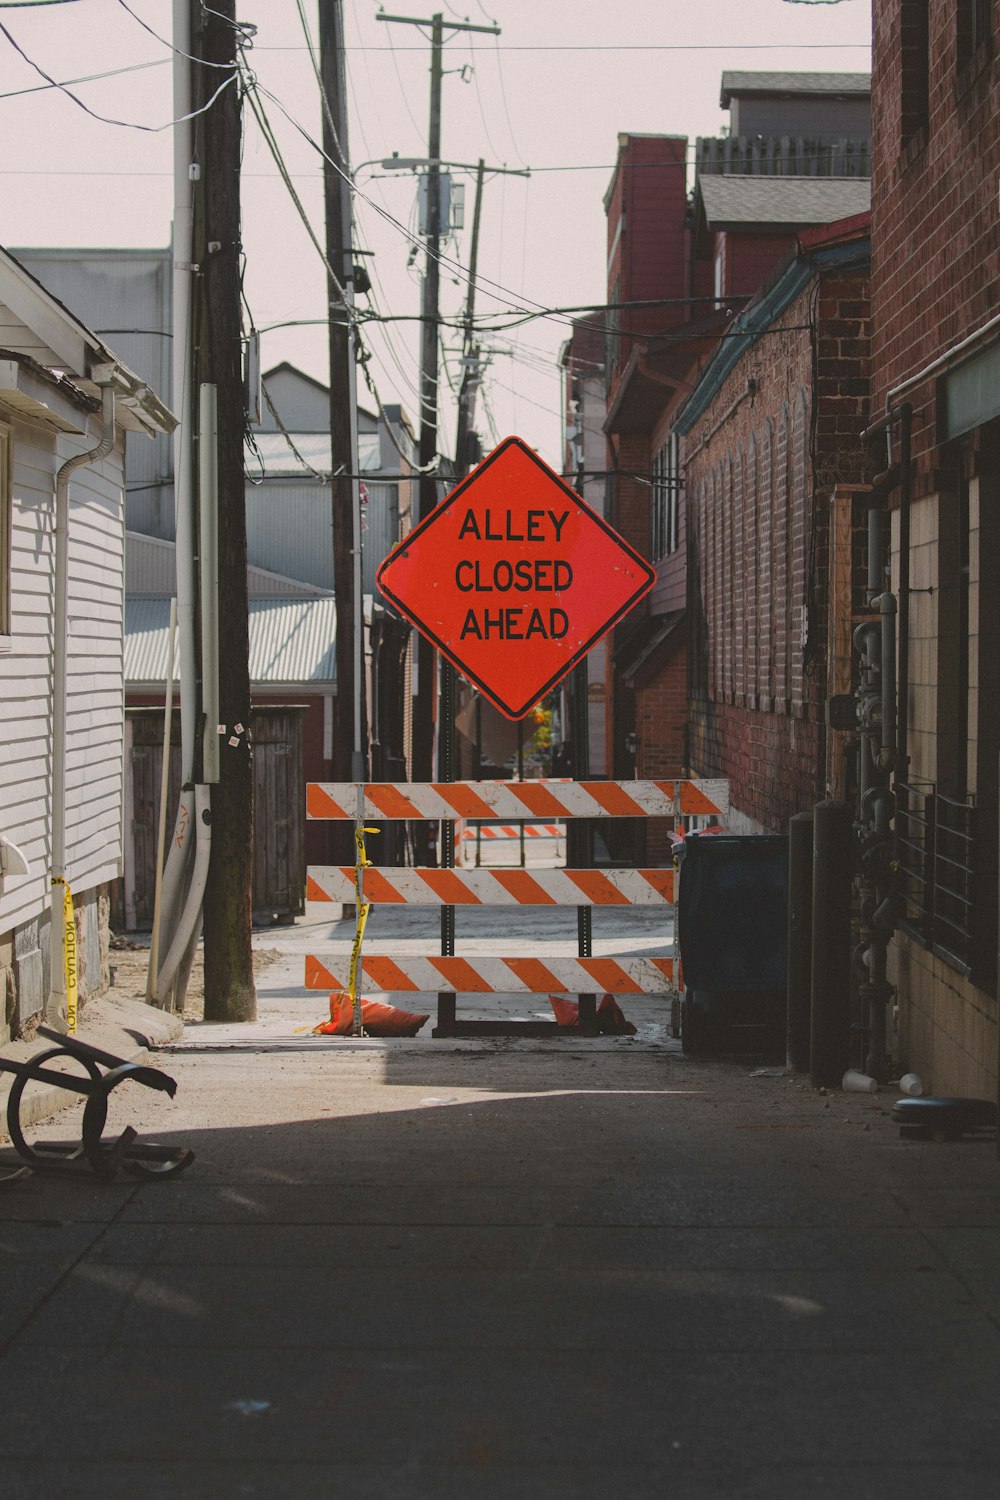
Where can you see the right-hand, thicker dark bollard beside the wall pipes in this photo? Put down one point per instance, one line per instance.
(830, 1037)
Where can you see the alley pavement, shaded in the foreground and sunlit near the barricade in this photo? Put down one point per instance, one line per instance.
(506, 1270)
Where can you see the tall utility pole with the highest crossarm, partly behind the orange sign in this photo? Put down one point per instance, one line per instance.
(428, 493)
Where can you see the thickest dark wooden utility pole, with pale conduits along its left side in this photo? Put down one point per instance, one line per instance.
(229, 908)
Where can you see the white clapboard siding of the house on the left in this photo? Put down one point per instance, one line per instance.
(95, 718)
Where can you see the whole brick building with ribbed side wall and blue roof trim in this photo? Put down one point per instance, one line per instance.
(776, 481)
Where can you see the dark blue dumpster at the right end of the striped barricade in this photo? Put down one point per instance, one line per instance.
(734, 931)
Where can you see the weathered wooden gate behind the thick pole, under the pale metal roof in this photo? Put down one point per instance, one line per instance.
(280, 863)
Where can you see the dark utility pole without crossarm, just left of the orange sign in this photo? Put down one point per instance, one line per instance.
(352, 730)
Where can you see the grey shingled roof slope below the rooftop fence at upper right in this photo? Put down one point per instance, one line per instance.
(738, 203)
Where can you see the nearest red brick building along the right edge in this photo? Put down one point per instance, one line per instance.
(936, 385)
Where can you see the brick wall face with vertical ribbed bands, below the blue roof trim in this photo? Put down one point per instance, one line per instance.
(759, 496)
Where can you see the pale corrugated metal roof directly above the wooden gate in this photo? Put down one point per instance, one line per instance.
(293, 641)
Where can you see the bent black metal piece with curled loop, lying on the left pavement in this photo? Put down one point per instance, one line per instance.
(134, 1157)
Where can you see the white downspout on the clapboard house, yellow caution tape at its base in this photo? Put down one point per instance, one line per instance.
(56, 1009)
